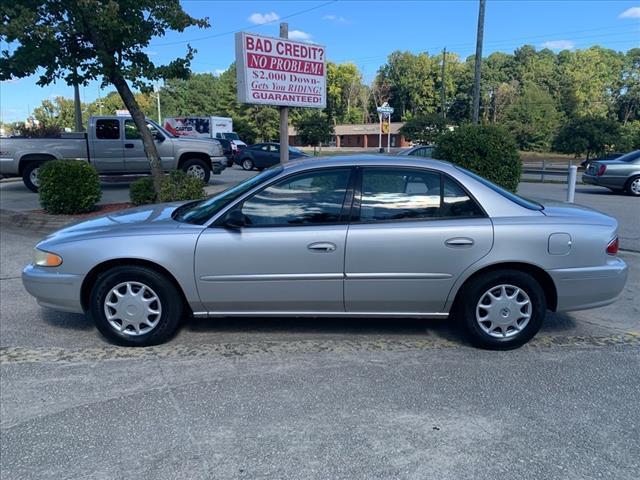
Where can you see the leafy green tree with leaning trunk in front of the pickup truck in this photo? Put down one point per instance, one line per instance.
(83, 40)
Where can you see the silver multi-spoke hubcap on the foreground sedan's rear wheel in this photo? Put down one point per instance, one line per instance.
(503, 311)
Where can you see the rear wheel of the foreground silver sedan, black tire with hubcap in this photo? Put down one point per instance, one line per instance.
(515, 330)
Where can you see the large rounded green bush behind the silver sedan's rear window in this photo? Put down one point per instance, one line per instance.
(488, 150)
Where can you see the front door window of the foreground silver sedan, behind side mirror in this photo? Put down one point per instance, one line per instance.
(307, 199)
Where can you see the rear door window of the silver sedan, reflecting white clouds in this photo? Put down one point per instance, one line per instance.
(399, 194)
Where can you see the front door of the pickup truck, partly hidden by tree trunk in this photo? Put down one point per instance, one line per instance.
(135, 158)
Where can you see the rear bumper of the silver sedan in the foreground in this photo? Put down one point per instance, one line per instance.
(589, 287)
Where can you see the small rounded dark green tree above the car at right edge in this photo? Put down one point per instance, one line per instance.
(587, 135)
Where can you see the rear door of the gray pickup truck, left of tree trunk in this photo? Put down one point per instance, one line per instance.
(107, 146)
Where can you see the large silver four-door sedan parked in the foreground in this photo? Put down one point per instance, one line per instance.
(356, 236)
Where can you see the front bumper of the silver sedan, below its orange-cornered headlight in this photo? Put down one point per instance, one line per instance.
(60, 291)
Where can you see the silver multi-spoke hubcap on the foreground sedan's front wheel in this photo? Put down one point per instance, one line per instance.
(132, 308)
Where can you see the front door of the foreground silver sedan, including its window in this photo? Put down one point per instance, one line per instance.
(289, 258)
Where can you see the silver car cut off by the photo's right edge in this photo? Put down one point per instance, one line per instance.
(620, 174)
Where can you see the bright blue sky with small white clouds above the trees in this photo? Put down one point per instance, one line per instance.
(365, 32)
